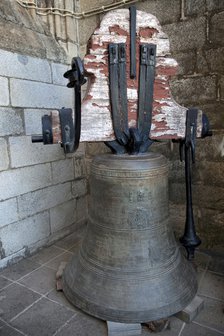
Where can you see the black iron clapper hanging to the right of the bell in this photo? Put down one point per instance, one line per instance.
(189, 240)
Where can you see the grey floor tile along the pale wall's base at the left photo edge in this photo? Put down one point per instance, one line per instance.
(20, 269)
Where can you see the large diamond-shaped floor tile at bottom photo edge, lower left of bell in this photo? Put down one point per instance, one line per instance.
(43, 318)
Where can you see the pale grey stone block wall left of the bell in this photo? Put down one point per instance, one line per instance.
(42, 192)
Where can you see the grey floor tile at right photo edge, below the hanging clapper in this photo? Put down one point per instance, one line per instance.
(212, 285)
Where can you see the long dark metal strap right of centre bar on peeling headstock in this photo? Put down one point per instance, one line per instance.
(146, 85)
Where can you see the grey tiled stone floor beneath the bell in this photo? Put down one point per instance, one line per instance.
(30, 304)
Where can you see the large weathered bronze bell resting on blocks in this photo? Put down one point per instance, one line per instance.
(129, 268)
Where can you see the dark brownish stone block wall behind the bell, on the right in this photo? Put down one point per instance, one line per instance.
(195, 29)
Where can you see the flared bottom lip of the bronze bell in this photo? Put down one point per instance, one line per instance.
(180, 302)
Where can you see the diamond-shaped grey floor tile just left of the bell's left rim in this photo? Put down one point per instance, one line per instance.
(42, 280)
